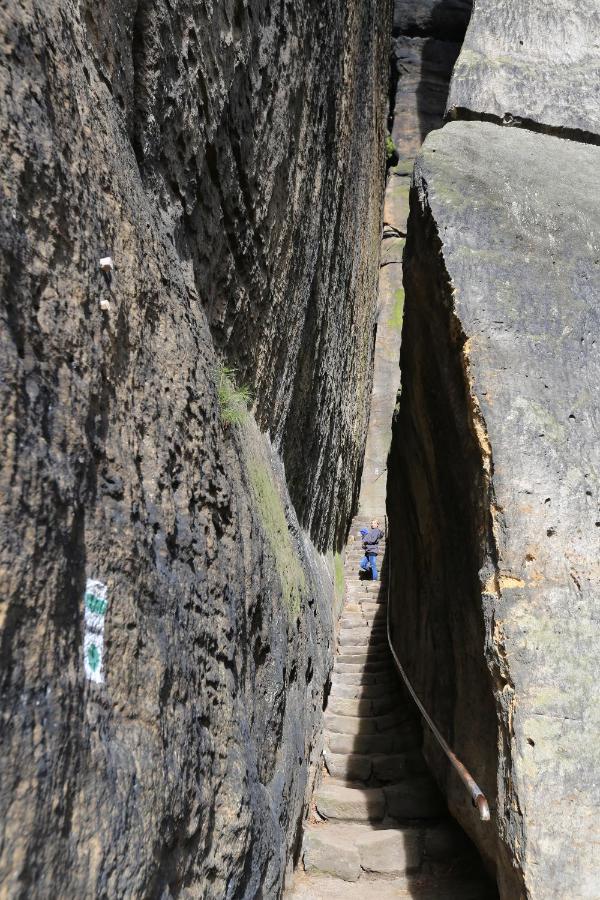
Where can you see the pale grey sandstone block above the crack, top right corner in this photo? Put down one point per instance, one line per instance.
(532, 62)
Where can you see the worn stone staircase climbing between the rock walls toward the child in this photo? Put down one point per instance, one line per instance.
(380, 827)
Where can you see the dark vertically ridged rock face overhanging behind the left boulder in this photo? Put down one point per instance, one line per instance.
(257, 131)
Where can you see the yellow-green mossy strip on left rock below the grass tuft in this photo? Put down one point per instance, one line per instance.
(274, 522)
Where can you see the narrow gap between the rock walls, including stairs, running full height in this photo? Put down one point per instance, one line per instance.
(378, 814)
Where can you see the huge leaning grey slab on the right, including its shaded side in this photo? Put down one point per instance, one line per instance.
(494, 508)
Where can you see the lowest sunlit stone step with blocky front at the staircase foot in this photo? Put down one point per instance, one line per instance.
(350, 850)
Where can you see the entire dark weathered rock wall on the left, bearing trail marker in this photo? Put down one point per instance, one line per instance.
(229, 158)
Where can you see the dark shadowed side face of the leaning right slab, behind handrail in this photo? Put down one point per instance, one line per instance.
(443, 533)
